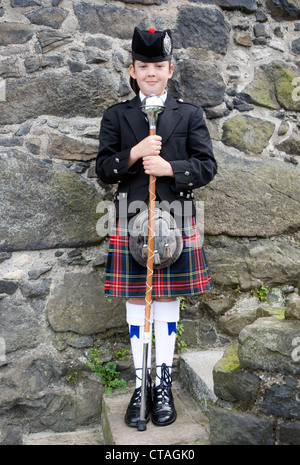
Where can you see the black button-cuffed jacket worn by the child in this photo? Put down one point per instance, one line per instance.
(186, 144)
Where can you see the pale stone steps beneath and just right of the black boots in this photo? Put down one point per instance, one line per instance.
(193, 393)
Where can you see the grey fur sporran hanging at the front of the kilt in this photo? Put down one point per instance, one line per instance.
(168, 242)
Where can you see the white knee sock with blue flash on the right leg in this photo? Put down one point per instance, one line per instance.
(166, 316)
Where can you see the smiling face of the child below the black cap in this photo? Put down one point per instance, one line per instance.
(152, 78)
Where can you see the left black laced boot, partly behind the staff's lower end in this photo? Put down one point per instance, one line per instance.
(132, 415)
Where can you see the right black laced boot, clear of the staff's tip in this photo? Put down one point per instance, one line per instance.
(163, 410)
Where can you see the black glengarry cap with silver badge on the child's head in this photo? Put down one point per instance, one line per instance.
(152, 46)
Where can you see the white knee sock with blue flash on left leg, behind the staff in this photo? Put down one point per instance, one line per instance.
(135, 317)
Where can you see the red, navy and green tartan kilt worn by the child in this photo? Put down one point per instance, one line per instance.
(189, 275)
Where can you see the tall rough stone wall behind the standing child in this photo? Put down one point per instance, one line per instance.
(62, 63)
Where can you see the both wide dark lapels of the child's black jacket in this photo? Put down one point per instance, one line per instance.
(167, 120)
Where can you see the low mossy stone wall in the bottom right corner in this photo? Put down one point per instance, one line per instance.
(257, 382)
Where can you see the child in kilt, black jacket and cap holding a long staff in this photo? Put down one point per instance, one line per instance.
(180, 156)
